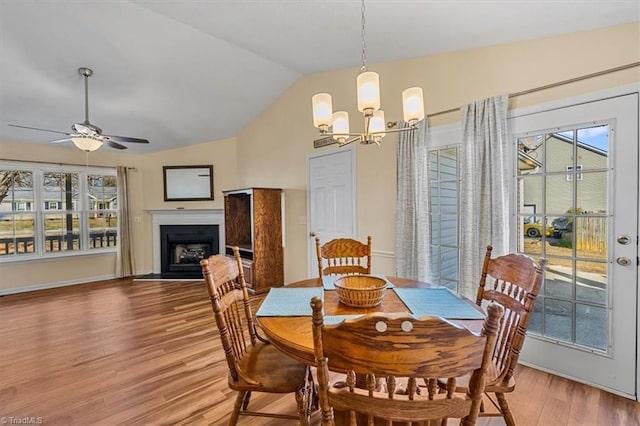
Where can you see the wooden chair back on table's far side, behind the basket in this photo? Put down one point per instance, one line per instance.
(343, 256)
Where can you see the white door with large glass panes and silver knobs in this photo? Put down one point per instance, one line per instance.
(578, 165)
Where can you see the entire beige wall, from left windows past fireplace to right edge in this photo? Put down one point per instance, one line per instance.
(272, 151)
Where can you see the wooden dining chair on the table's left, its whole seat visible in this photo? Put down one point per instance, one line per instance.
(254, 364)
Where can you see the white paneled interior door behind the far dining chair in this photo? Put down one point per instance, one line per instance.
(331, 201)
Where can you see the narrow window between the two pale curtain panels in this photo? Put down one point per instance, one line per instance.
(444, 181)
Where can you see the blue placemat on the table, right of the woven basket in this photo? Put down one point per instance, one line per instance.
(438, 301)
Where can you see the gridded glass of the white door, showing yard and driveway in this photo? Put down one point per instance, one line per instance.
(573, 204)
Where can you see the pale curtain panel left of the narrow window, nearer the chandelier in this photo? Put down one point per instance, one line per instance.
(413, 220)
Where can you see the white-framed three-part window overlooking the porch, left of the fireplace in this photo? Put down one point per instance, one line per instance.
(49, 210)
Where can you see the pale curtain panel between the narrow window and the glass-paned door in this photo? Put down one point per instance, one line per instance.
(486, 176)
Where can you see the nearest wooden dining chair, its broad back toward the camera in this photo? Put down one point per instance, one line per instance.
(385, 356)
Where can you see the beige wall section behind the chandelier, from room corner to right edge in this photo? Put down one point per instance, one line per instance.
(275, 146)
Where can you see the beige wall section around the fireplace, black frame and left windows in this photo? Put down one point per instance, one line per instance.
(146, 194)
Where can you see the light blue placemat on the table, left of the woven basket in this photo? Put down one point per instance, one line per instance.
(289, 302)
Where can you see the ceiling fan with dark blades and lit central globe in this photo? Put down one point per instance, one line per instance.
(86, 136)
